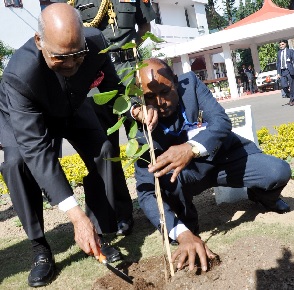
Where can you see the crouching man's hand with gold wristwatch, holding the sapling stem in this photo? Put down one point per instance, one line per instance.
(175, 158)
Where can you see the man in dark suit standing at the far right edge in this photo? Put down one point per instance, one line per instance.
(285, 70)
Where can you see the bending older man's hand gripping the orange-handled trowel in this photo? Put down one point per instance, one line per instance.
(85, 234)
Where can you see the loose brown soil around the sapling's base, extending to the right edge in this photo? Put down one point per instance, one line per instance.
(250, 264)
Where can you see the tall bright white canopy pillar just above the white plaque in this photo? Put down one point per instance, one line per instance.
(230, 71)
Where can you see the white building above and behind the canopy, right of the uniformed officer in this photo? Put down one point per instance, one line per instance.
(181, 21)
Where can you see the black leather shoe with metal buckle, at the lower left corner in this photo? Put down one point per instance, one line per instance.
(43, 270)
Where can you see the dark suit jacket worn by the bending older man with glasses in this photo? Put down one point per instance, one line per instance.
(36, 103)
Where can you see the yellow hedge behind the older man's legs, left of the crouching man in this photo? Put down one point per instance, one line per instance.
(75, 170)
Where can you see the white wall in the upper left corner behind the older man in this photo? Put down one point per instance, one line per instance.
(18, 24)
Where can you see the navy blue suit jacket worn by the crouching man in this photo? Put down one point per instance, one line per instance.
(221, 143)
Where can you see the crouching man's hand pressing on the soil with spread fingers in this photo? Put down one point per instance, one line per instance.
(189, 247)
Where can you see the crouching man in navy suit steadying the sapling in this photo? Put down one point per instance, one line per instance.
(194, 154)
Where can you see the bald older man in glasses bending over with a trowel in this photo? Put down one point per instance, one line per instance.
(42, 96)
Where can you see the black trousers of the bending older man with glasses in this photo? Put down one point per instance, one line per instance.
(93, 147)
